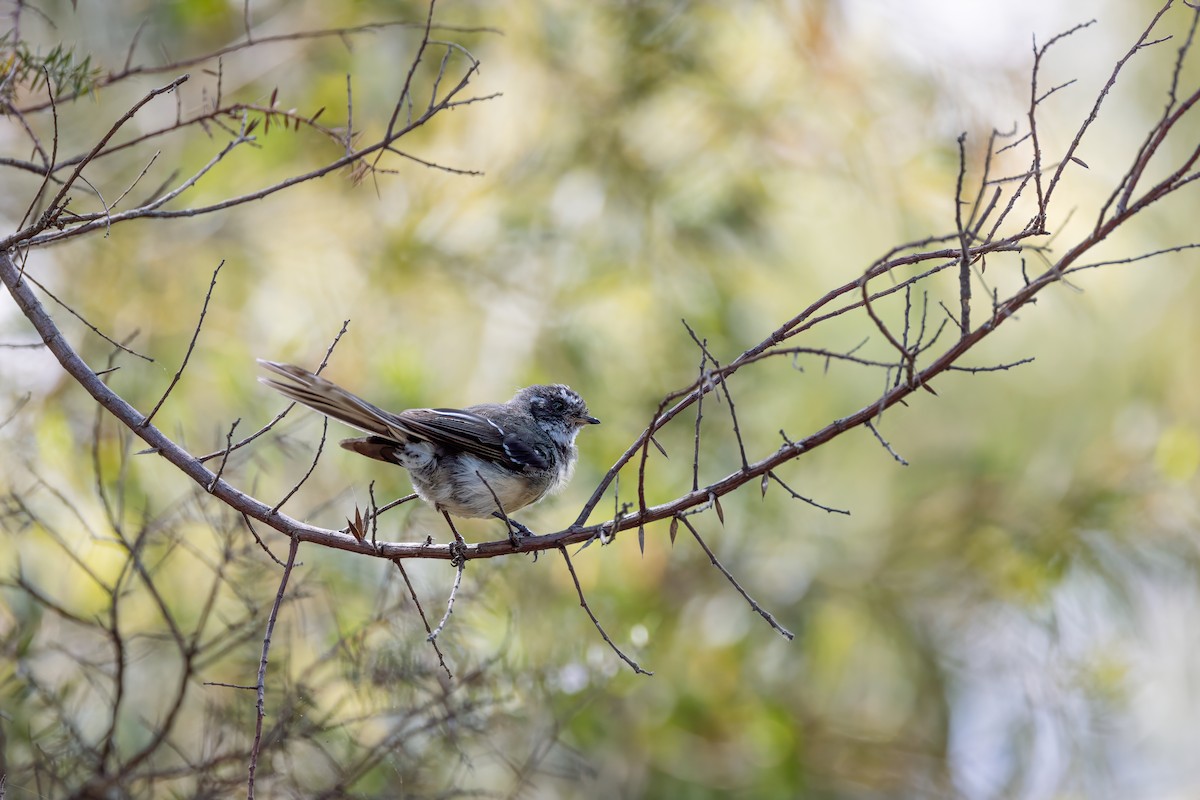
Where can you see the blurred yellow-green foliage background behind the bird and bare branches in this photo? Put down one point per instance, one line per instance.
(1009, 616)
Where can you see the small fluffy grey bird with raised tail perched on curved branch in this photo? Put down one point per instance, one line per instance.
(463, 462)
